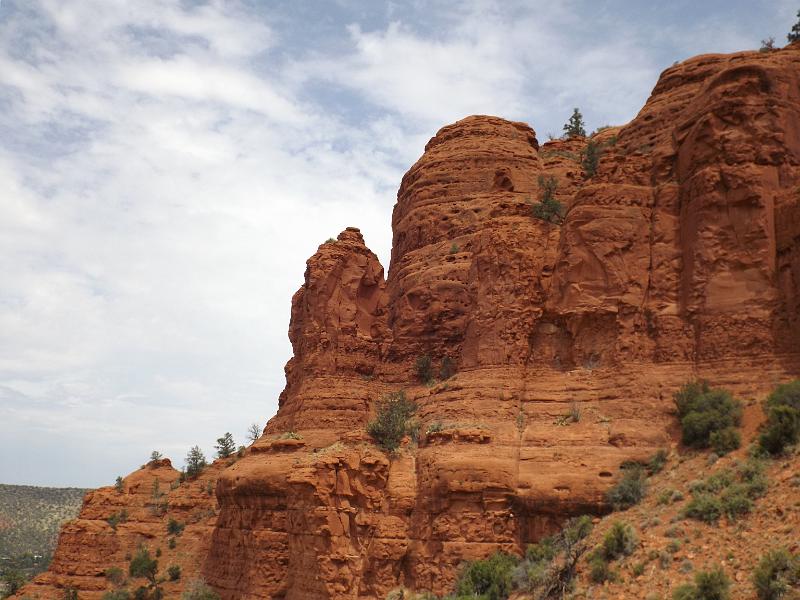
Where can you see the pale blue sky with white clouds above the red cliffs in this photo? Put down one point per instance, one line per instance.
(167, 167)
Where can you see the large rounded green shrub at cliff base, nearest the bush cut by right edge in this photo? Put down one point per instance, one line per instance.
(703, 411)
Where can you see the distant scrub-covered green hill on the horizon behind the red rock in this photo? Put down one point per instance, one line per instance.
(30, 518)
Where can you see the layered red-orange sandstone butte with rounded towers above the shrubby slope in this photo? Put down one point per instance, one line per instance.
(680, 258)
